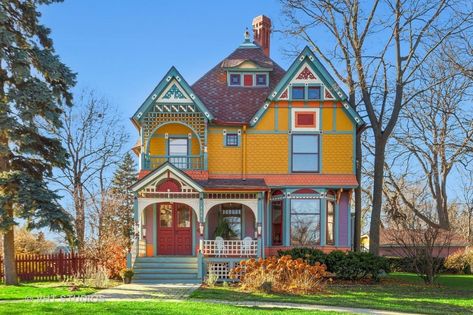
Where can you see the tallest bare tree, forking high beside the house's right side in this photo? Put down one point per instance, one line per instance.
(383, 44)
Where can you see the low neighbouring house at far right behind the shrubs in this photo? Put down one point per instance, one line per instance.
(395, 243)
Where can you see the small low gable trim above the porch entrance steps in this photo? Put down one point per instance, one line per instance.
(151, 181)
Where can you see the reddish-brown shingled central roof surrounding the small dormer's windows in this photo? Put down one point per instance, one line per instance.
(231, 104)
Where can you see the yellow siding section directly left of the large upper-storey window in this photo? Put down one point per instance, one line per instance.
(267, 153)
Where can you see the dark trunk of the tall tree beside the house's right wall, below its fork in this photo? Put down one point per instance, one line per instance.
(379, 158)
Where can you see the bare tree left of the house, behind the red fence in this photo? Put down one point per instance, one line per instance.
(94, 138)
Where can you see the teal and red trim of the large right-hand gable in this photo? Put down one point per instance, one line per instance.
(305, 68)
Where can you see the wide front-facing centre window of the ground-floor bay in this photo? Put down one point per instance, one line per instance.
(305, 222)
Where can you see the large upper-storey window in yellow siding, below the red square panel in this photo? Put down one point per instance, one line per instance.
(305, 153)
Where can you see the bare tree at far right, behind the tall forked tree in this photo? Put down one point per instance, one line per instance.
(434, 137)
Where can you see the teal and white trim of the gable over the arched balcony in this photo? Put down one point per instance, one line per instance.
(173, 88)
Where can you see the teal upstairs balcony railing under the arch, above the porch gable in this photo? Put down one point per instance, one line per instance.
(184, 162)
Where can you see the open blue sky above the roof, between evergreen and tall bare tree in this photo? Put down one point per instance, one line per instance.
(122, 48)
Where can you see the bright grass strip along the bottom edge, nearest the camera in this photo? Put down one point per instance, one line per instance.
(136, 307)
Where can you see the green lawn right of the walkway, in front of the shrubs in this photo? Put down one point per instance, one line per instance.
(399, 292)
